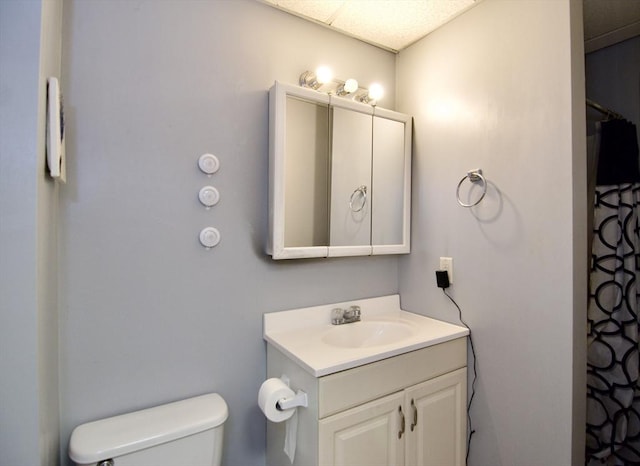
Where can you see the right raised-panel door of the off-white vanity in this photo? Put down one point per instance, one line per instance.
(436, 421)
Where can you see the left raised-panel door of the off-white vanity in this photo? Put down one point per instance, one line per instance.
(366, 435)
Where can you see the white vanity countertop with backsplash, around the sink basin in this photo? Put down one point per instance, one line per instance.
(299, 334)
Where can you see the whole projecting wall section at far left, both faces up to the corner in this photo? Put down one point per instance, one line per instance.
(29, 53)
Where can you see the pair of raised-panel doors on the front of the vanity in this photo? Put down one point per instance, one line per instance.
(423, 425)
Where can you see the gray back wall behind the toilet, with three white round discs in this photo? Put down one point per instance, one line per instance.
(147, 314)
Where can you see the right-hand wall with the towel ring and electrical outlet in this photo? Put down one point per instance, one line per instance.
(502, 88)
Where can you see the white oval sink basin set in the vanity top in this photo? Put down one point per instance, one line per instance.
(367, 333)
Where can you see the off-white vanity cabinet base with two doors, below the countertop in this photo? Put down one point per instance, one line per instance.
(406, 410)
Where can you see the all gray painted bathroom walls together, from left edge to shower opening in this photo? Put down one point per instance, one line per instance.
(147, 316)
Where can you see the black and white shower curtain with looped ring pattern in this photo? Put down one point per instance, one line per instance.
(613, 377)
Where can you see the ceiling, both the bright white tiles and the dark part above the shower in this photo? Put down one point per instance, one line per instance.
(396, 24)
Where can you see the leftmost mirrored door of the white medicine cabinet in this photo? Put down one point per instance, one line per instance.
(298, 173)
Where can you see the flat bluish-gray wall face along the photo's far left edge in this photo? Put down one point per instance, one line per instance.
(19, 53)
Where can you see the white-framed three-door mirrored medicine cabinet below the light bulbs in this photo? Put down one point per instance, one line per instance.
(339, 176)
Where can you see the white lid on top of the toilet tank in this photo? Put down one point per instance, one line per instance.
(119, 435)
